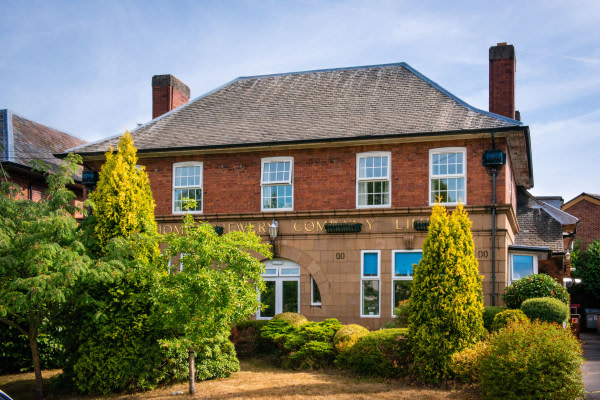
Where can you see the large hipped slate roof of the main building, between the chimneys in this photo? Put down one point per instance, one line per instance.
(321, 105)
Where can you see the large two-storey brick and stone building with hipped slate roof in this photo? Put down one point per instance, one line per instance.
(348, 163)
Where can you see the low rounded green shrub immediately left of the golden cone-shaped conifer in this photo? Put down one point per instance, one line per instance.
(384, 353)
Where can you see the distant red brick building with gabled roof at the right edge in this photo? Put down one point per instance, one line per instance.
(586, 207)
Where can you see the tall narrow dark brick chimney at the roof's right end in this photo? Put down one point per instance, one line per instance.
(503, 66)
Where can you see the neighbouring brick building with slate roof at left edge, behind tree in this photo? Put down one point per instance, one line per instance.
(22, 141)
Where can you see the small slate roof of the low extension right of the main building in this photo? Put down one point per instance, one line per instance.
(540, 224)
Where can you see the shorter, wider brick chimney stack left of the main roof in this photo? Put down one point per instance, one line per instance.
(168, 93)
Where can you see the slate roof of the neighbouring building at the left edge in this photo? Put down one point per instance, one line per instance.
(23, 140)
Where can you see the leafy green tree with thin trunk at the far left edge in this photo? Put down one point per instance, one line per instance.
(42, 259)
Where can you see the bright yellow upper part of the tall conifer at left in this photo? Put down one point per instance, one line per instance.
(122, 202)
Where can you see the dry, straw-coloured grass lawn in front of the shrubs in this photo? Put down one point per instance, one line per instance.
(257, 380)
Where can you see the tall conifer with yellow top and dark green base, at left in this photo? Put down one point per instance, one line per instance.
(112, 343)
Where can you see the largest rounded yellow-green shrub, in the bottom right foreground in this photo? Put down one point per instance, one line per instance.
(532, 360)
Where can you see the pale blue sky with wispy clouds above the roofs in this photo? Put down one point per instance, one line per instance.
(86, 67)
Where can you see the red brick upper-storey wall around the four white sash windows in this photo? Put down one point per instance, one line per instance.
(324, 178)
